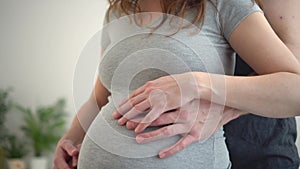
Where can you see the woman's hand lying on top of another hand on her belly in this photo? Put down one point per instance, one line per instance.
(157, 96)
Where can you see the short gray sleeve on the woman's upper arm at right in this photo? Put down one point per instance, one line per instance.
(233, 12)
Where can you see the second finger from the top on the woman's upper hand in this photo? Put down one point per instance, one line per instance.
(135, 111)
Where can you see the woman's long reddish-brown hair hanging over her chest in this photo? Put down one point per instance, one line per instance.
(173, 7)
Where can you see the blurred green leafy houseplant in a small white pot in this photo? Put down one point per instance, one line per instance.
(43, 128)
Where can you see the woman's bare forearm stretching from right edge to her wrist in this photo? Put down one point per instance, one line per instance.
(280, 101)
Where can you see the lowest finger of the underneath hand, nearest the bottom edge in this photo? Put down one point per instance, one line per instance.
(179, 146)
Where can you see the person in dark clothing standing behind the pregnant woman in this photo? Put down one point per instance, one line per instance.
(253, 141)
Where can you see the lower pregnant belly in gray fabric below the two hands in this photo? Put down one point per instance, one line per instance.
(108, 145)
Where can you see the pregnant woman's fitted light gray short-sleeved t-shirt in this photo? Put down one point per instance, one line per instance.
(133, 56)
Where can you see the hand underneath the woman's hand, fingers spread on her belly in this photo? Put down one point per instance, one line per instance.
(195, 121)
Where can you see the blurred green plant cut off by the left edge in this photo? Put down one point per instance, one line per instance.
(5, 105)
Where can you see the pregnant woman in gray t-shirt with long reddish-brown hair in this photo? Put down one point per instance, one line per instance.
(225, 25)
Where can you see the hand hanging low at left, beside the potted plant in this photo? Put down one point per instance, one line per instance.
(66, 154)
